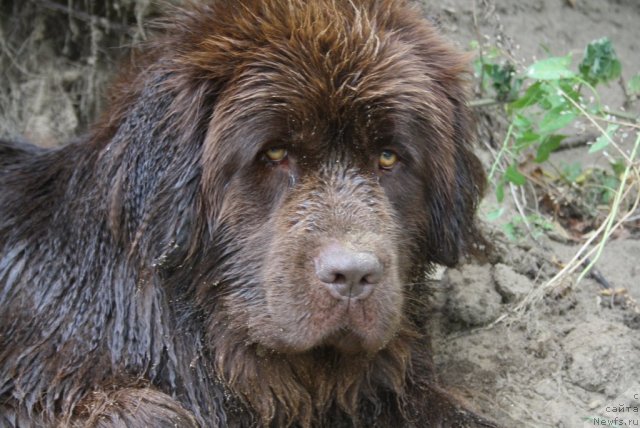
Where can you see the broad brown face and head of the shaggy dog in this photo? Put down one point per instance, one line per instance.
(336, 166)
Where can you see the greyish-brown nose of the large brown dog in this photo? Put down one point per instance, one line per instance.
(346, 273)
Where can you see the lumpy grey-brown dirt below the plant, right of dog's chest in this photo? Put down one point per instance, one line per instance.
(561, 362)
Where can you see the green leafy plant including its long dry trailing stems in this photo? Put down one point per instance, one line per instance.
(545, 105)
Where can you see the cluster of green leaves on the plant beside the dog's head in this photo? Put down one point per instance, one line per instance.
(553, 100)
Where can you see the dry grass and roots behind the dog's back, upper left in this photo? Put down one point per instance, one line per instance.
(57, 57)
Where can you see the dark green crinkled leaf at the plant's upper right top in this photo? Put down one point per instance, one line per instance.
(600, 62)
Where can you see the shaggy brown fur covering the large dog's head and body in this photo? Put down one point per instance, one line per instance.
(166, 271)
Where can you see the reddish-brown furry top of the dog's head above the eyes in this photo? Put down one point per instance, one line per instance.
(310, 71)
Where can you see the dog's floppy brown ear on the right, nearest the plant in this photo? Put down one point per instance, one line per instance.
(457, 178)
